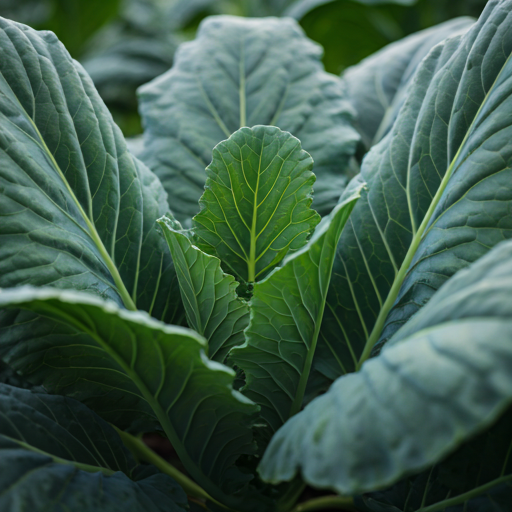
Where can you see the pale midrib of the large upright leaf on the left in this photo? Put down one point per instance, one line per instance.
(123, 292)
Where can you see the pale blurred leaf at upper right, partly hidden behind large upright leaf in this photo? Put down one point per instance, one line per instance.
(378, 86)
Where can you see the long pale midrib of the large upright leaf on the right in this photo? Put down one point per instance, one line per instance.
(418, 237)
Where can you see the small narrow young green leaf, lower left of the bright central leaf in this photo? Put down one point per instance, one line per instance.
(211, 303)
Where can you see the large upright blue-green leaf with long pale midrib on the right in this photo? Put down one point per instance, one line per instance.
(439, 190)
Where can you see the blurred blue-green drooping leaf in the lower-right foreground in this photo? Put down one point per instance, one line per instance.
(442, 379)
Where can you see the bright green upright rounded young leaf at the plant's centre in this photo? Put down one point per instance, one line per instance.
(256, 203)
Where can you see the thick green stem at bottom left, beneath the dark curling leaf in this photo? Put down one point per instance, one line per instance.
(143, 453)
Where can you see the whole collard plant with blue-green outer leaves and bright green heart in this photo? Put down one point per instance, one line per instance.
(395, 307)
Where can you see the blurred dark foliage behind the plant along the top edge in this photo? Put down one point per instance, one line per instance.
(125, 43)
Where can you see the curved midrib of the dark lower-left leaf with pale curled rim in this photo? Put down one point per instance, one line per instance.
(162, 417)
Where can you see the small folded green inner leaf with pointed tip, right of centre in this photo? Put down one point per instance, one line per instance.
(286, 314)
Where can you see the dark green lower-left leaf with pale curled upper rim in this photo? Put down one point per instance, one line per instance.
(135, 372)
